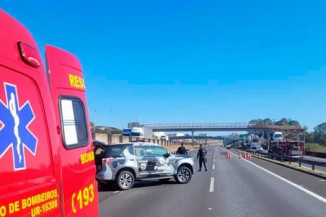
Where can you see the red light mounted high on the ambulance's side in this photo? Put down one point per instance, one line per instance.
(29, 55)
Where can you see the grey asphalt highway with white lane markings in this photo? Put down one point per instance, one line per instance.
(231, 187)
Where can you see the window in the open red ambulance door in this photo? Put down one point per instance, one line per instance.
(73, 121)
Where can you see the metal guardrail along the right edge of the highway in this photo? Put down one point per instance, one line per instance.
(291, 159)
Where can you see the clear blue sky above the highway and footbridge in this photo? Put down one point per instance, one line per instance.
(190, 61)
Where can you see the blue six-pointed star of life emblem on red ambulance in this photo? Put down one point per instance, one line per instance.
(14, 132)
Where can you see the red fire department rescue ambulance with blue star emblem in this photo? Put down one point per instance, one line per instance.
(46, 154)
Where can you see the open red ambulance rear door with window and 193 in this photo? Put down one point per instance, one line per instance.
(76, 152)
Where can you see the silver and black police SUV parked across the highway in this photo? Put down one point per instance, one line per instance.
(125, 163)
